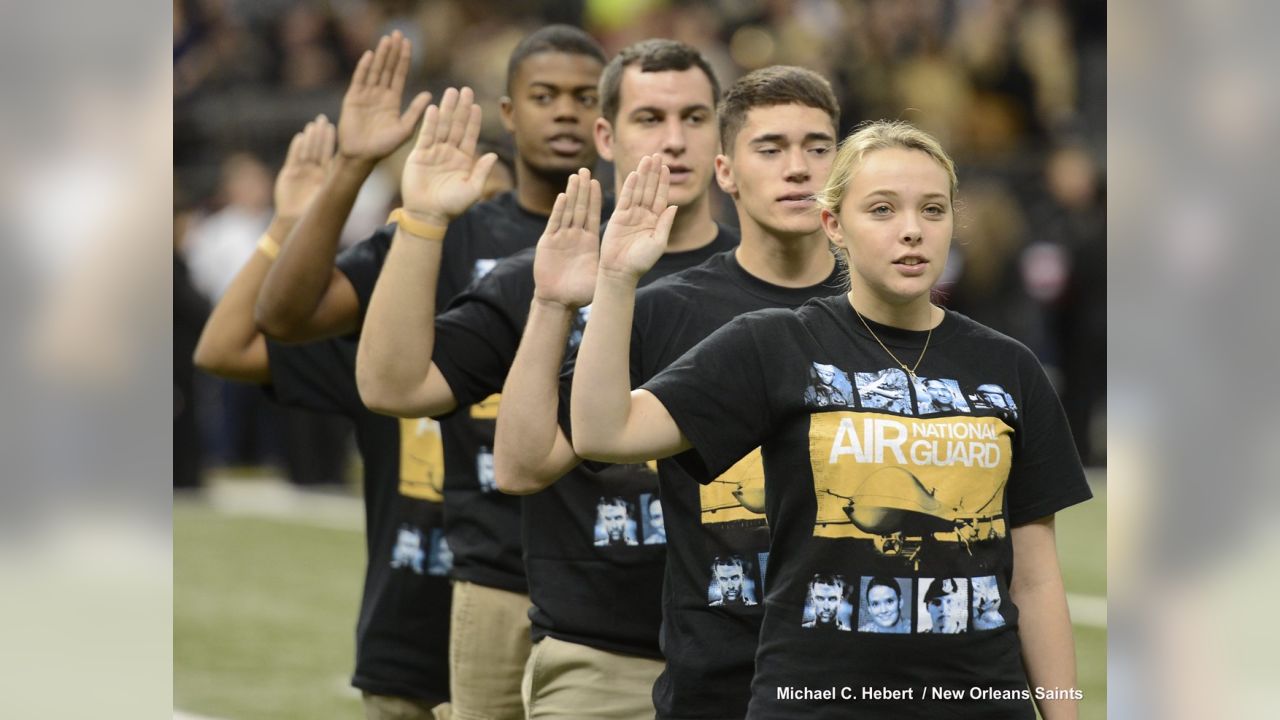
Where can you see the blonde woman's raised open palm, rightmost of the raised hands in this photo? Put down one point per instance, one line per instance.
(642, 222)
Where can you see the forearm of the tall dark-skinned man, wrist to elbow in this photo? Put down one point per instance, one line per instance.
(300, 277)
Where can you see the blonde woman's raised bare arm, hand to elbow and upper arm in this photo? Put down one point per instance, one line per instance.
(611, 423)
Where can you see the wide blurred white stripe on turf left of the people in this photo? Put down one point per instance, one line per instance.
(278, 500)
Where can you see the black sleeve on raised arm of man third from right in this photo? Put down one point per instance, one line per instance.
(478, 336)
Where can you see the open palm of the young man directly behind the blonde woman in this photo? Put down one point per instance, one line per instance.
(569, 250)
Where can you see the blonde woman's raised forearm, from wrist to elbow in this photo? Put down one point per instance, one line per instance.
(601, 404)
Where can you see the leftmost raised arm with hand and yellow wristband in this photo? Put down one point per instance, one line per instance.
(231, 345)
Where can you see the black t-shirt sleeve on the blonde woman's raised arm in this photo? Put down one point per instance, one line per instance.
(719, 397)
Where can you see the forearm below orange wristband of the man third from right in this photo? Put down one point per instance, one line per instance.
(394, 362)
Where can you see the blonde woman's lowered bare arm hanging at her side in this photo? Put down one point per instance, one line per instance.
(1044, 619)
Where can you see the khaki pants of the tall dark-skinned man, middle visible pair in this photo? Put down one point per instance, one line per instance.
(488, 649)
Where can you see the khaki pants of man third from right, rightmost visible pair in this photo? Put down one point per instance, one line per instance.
(574, 681)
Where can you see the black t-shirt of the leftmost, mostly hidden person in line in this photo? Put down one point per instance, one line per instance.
(404, 632)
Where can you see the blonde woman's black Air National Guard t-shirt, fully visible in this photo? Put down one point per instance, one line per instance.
(872, 480)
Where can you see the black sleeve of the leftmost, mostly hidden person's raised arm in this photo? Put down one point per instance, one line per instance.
(314, 376)
